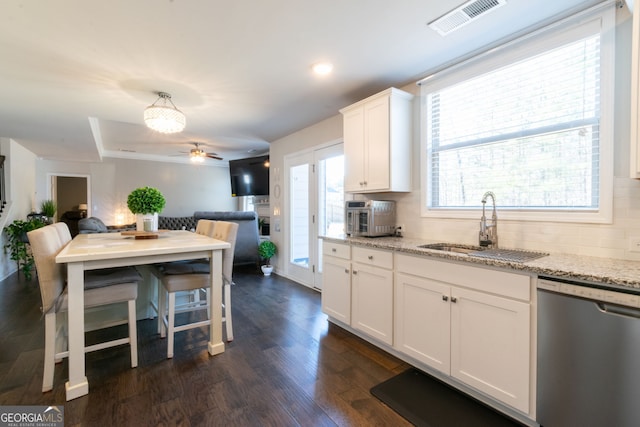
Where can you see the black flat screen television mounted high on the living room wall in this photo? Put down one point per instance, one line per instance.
(249, 177)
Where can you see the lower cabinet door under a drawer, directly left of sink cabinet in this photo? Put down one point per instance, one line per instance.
(372, 302)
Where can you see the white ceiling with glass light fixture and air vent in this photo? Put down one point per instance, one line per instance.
(76, 75)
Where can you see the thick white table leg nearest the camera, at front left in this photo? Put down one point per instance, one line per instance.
(77, 385)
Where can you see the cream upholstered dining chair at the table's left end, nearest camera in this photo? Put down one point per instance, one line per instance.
(102, 287)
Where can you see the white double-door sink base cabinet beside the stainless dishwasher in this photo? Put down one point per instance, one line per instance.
(454, 318)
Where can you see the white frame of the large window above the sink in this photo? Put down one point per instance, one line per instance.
(552, 36)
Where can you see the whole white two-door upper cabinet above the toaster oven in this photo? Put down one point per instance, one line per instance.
(377, 143)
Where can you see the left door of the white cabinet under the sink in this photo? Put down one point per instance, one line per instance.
(422, 320)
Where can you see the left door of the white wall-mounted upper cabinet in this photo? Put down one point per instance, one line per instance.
(354, 143)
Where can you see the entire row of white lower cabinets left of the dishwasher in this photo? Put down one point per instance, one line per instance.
(471, 323)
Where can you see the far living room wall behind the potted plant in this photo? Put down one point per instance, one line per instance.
(186, 187)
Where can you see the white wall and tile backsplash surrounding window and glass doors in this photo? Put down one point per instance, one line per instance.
(602, 240)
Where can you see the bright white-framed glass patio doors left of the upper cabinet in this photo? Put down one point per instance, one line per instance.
(315, 204)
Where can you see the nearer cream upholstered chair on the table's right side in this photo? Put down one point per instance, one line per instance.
(194, 276)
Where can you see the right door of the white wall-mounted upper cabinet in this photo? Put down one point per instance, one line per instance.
(377, 144)
